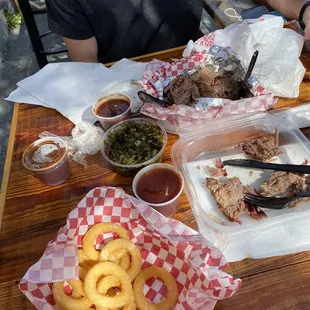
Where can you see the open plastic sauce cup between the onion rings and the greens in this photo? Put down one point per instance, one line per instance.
(168, 208)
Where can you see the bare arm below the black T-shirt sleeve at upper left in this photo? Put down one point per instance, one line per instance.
(82, 50)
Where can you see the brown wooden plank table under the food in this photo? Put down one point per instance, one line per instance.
(33, 213)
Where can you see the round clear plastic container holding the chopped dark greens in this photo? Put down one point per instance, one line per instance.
(130, 170)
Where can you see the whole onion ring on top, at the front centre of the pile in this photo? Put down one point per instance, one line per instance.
(105, 269)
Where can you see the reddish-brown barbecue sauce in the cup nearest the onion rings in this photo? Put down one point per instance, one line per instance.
(158, 185)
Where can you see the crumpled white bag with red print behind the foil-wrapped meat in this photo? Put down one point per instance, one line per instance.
(278, 67)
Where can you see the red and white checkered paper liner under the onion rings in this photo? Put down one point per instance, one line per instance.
(195, 263)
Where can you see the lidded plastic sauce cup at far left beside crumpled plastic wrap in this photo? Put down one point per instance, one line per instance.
(48, 159)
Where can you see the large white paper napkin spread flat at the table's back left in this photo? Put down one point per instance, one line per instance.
(72, 88)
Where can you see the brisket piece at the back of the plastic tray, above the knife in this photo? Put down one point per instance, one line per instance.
(263, 148)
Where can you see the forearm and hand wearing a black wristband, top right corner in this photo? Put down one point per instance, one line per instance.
(291, 9)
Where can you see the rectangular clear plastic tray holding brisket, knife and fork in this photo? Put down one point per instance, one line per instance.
(194, 151)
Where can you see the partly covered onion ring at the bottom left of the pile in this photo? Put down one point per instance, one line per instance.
(67, 302)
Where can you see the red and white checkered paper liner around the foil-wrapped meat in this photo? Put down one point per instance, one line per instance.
(182, 115)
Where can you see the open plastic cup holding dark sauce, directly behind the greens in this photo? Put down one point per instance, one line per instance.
(108, 122)
